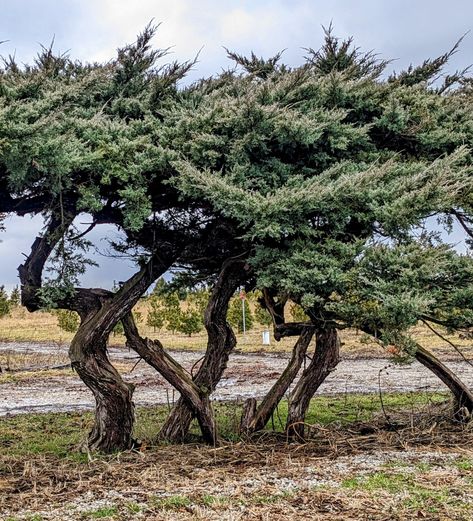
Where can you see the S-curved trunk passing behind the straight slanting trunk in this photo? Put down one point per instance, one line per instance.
(221, 341)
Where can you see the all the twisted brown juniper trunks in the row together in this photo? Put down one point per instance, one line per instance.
(100, 311)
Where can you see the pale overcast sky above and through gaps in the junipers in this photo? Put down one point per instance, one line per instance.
(406, 31)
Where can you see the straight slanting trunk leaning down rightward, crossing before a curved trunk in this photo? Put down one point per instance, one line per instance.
(194, 398)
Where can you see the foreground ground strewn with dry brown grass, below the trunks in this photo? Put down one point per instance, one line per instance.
(421, 471)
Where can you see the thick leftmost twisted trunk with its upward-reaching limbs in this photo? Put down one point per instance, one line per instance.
(100, 310)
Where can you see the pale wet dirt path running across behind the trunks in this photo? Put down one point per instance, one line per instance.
(247, 375)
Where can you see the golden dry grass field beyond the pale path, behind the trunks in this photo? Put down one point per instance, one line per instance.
(41, 326)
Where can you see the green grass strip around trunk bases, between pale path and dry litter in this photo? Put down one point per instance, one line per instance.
(60, 434)
